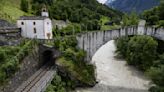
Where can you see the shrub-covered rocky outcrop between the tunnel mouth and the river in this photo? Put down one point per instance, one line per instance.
(71, 65)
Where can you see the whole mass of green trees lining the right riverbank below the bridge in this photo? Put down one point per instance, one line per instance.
(136, 50)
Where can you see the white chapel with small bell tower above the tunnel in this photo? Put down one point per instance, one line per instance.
(39, 27)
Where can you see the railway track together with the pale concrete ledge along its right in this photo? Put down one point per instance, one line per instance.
(33, 83)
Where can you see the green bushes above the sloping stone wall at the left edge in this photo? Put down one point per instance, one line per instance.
(10, 58)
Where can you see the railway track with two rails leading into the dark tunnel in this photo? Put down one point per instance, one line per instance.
(32, 81)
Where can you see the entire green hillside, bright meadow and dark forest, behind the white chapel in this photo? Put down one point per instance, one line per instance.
(86, 13)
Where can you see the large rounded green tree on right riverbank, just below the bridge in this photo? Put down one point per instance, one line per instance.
(139, 49)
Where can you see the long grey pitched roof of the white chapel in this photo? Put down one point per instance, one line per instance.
(32, 18)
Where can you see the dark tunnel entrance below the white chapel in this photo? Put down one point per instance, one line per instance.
(47, 57)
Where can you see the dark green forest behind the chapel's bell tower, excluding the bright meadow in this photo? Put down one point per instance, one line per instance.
(87, 13)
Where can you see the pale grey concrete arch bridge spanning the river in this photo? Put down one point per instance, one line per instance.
(92, 41)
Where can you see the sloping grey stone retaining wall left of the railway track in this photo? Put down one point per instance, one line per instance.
(29, 66)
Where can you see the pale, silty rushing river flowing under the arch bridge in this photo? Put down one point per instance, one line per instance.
(115, 75)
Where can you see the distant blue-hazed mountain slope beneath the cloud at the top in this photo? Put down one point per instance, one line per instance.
(132, 5)
